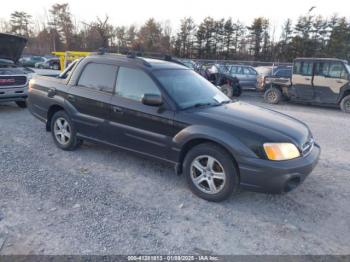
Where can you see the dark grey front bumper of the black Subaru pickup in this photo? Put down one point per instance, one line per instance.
(276, 176)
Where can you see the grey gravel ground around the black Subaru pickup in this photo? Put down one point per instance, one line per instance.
(98, 200)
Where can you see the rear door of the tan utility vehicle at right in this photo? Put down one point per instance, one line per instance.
(302, 80)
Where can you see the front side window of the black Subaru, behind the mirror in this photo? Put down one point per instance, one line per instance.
(134, 83)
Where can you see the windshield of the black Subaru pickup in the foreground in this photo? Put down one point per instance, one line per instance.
(189, 89)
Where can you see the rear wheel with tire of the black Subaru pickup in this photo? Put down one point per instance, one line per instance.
(64, 132)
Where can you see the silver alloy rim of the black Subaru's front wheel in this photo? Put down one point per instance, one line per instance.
(207, 174)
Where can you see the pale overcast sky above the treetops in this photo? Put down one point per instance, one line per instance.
(127, 12)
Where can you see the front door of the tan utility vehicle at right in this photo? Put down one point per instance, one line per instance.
(329, 78)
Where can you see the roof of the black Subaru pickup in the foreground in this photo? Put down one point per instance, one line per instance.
(147, 63)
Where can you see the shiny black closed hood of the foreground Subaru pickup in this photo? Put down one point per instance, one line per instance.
(274, 126)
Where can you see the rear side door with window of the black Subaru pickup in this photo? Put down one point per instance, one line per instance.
(91, 97)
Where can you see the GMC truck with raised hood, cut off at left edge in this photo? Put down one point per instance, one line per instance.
(13, 78)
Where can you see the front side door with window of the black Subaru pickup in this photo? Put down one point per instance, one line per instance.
(135, 126)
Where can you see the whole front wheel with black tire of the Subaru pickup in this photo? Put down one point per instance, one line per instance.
(210, 172)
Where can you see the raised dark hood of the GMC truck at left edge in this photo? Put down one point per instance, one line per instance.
(11, 47)
